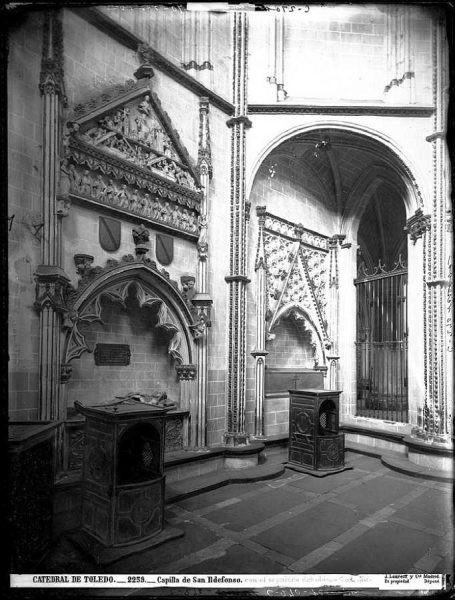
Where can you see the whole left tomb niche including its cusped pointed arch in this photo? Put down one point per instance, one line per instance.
(136, 307)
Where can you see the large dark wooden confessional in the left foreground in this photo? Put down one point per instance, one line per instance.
(123, 481)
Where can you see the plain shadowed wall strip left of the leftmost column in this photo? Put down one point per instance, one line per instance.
(24, 202)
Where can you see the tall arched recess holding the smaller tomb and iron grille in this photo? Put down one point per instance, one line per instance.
(324, 179)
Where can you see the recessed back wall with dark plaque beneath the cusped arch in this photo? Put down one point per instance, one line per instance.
(149, 369)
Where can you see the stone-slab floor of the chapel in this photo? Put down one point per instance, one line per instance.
(365, 520)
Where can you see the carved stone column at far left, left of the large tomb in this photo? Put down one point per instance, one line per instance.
(53, 206)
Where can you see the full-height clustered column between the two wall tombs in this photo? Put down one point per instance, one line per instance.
(237, 278)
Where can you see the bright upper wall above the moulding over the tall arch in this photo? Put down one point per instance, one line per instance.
(336, 52)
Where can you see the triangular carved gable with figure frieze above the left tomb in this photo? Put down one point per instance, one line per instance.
(123, 152)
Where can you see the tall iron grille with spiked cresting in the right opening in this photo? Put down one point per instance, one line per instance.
(382, 346)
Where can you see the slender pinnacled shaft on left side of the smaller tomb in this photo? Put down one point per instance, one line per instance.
(259, 353)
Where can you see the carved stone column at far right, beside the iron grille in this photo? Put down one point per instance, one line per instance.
(437, 411)
